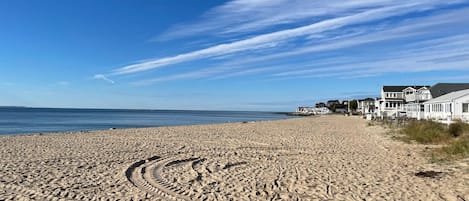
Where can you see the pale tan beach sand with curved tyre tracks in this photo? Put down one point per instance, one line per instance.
(319, 158)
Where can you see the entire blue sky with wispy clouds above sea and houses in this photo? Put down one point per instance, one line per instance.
(268, 55)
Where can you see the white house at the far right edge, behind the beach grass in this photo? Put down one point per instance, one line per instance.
(451, 106)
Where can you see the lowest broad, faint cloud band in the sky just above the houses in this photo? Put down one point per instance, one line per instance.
(401, 60)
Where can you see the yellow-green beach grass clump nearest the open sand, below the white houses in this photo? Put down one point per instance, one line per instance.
(426, 132)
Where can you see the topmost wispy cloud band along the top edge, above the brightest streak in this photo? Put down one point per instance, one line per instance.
(247, 16)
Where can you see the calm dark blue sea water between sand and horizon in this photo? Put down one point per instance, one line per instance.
(43, 120)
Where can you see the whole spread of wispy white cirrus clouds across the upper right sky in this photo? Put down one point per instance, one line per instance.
(336, 26)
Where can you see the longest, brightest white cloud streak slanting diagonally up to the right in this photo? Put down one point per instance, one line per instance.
(272, 39)
